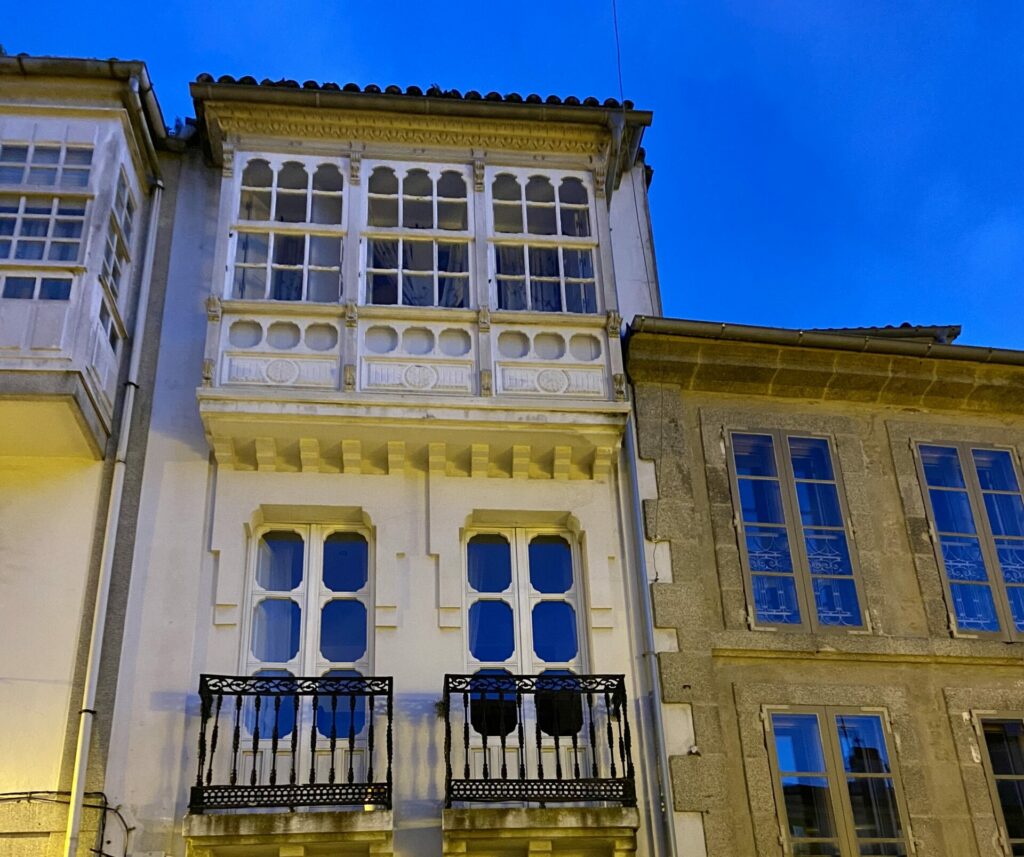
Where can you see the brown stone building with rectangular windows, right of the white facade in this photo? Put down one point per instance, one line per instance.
(836, 542)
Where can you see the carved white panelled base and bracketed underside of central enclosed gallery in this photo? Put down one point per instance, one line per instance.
(374, 390)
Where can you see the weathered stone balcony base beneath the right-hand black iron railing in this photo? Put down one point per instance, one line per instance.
(598, 832)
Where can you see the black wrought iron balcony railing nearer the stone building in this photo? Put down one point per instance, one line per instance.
(548, 739)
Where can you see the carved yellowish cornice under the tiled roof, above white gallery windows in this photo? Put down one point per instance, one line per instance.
(233, 121)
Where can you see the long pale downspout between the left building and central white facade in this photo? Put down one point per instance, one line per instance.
(88, 713)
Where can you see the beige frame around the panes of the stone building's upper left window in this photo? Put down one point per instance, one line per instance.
(794, 529)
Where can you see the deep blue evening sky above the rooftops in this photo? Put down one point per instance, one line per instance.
(818, 163)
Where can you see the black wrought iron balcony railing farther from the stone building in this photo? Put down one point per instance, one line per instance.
(280, 741)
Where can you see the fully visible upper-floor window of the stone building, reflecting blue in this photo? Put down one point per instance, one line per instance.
(794, 537)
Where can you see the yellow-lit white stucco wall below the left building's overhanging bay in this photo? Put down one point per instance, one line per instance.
(48, 512)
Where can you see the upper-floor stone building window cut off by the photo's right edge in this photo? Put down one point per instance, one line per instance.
(977, 518)
